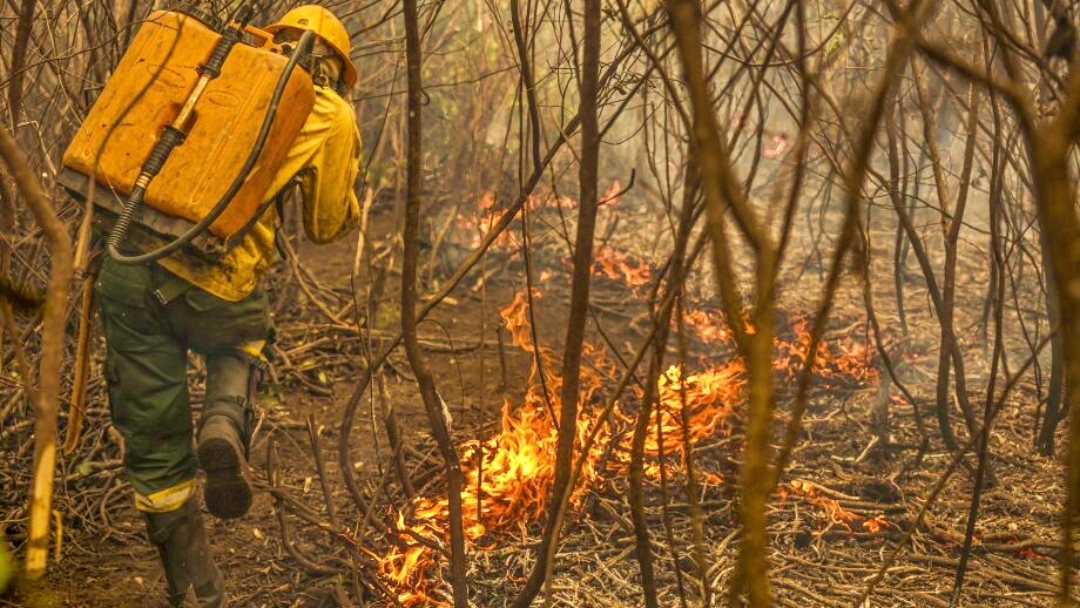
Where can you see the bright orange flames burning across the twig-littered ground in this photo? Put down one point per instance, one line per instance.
(509, 476)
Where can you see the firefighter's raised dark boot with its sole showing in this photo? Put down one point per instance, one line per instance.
(224, 431)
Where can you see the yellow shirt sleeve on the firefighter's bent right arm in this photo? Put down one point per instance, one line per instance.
(326, 159)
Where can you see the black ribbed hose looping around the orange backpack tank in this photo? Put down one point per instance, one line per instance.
(166, 146)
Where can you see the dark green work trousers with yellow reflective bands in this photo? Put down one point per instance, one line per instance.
(152, 319)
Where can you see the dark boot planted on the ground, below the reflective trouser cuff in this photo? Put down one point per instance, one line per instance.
(181, 539)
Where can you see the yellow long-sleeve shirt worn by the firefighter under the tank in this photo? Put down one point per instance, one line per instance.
(326, 159)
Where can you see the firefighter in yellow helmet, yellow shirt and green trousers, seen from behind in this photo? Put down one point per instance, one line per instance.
(154, 314)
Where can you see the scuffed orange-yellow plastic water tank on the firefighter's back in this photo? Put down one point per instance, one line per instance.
(145, 94)
